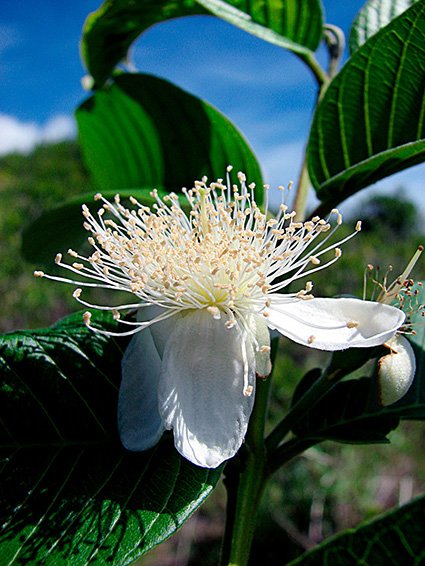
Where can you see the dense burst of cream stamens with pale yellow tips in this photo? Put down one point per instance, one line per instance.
(224, 255)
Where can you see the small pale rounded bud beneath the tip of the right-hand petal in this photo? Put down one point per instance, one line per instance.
(396, 370)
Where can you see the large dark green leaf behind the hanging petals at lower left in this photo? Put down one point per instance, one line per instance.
(69, 492)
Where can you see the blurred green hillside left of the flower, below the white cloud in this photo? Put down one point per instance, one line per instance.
(29, 185)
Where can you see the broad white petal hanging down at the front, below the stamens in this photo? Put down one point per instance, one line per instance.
(204, 371)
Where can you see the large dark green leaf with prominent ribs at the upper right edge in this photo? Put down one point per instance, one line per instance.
(369, 123)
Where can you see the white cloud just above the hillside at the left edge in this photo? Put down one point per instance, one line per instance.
(23, 137)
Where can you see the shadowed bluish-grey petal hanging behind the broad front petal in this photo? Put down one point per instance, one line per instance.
(139, 423)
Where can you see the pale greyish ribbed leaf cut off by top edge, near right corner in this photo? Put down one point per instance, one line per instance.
(374, 15)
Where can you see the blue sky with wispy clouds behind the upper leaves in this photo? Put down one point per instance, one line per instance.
(266, 91)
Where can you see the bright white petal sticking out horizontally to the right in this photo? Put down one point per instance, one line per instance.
(334, 324)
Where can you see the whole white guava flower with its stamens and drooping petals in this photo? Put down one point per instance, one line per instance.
(207, 285)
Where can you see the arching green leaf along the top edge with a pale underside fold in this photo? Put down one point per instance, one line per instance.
(109, 32)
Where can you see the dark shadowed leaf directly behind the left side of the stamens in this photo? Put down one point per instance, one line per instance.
(61, 228)
